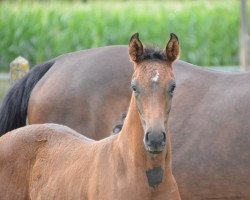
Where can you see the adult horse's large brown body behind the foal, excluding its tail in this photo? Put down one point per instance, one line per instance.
(88, 91)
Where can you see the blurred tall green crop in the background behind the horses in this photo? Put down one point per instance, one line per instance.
(208, 30)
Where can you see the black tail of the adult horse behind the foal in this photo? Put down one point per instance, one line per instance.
(13, 110)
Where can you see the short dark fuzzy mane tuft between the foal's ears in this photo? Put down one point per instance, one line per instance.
(151, 53)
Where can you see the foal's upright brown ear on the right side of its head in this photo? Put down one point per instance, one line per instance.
(172, 49)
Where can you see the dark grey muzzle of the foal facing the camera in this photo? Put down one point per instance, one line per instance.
(155, 141)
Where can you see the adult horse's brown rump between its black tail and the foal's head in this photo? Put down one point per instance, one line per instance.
(86, 91)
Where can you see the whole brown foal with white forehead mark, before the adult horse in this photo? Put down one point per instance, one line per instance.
(55, 162)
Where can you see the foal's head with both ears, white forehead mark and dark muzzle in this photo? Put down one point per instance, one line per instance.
(153, 85)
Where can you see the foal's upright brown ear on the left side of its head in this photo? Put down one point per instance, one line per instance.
(135, 48)
